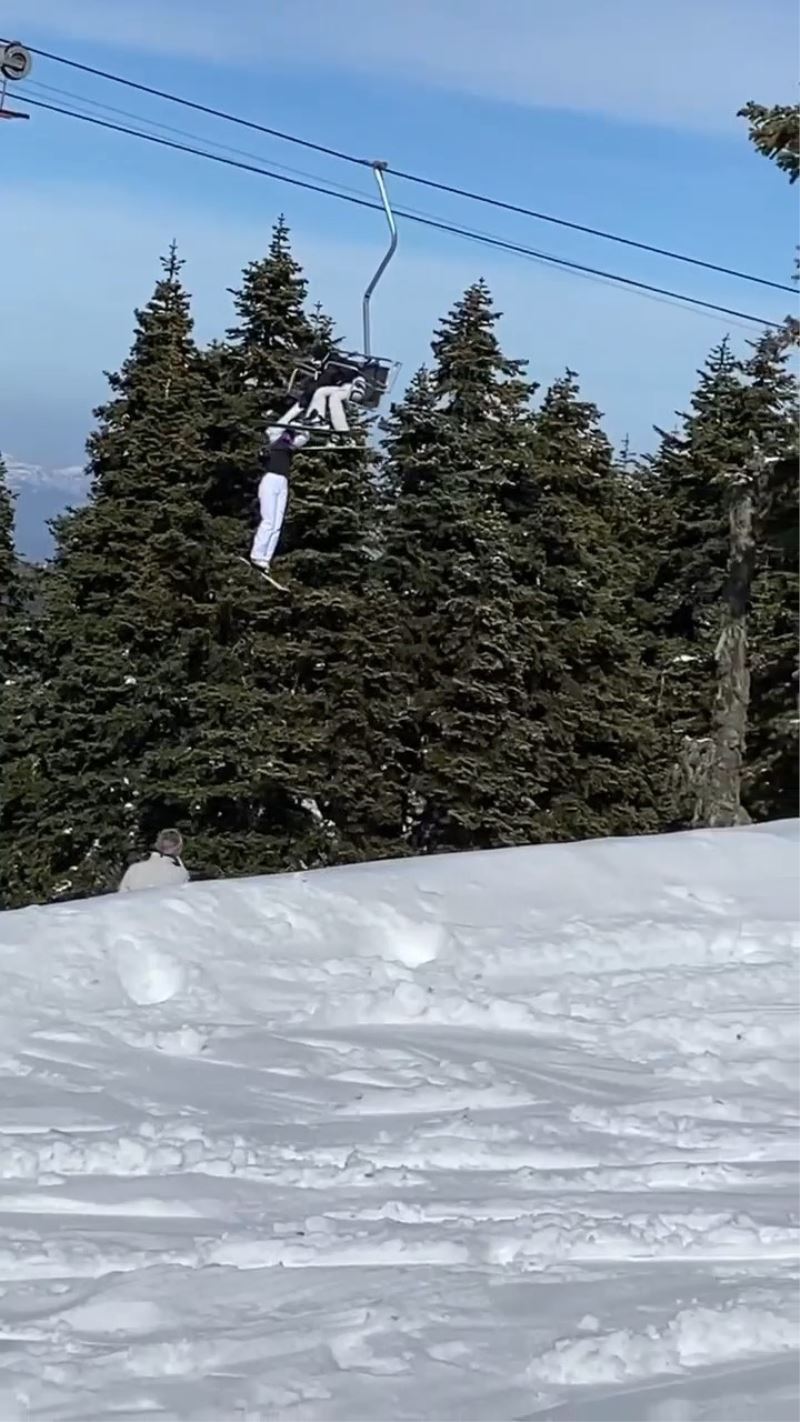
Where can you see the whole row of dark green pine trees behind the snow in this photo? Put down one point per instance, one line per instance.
(495, 629)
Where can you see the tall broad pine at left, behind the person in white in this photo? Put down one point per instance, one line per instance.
(133, 629)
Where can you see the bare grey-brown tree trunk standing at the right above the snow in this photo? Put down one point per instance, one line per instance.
(714, 764)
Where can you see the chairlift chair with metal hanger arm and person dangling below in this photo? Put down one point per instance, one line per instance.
(318, 415)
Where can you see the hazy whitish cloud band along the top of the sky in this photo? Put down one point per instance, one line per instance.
(684, 65)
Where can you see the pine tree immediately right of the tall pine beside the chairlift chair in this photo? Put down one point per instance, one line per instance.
(593, 695)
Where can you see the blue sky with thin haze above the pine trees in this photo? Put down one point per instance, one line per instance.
(612, 113)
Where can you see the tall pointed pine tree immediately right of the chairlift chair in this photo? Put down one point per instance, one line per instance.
(463, 750)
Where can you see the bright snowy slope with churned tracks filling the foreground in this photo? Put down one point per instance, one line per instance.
(492, 1137)
